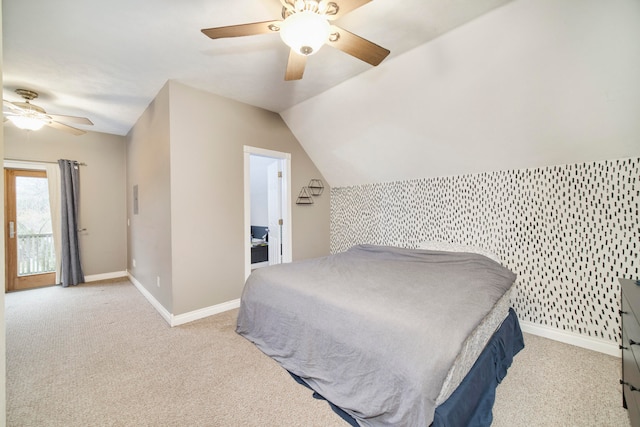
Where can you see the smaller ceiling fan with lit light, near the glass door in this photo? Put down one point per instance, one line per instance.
(26, 115)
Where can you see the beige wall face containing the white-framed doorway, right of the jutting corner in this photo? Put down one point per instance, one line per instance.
(208, 133)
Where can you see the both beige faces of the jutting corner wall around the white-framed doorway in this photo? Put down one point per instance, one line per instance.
(199, 195)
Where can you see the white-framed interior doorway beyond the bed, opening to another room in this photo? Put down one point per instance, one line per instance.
(267, 196)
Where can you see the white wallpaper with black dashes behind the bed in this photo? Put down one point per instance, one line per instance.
(568, 232)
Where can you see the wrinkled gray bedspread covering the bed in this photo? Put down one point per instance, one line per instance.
(375, 329)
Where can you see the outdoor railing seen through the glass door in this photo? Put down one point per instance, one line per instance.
(35, 254)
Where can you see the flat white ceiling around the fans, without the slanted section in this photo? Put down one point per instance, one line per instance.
(107, 59)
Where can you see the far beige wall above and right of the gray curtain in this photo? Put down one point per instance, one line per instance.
(102, 188)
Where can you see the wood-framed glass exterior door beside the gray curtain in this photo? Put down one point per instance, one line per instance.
(30, 257)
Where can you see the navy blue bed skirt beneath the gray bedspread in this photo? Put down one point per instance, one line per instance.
(471, 403)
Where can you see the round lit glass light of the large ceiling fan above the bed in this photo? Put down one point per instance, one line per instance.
(305, 32)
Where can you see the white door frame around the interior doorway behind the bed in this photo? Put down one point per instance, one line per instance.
(286, 203)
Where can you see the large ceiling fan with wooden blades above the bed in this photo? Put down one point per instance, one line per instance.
(305, 28)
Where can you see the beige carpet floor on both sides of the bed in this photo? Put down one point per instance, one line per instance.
(99, 355)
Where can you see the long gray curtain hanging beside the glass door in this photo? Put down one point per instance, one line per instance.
(71, 270)
